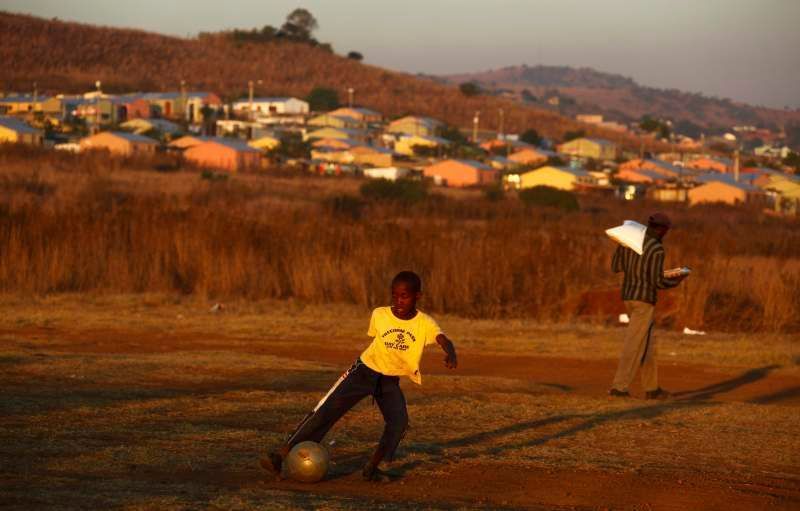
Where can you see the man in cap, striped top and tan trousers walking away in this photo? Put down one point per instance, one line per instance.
(644, 276)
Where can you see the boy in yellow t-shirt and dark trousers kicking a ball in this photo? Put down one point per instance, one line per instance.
(400, 334)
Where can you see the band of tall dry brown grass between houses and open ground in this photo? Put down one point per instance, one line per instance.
(83, 224)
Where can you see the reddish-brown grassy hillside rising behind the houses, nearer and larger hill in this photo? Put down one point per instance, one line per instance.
(70, 57)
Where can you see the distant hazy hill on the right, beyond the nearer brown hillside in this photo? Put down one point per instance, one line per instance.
(622, 99)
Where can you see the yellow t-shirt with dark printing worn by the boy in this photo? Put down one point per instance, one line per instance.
(397, 344)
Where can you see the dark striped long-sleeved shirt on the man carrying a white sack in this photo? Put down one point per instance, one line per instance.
(644, 274)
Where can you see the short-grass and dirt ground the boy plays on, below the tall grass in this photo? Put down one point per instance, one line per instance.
(153, 403)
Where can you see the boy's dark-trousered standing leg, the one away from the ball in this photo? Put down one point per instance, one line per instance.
(392, 404)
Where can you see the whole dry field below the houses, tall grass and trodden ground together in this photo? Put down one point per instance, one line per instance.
(120, 389)
